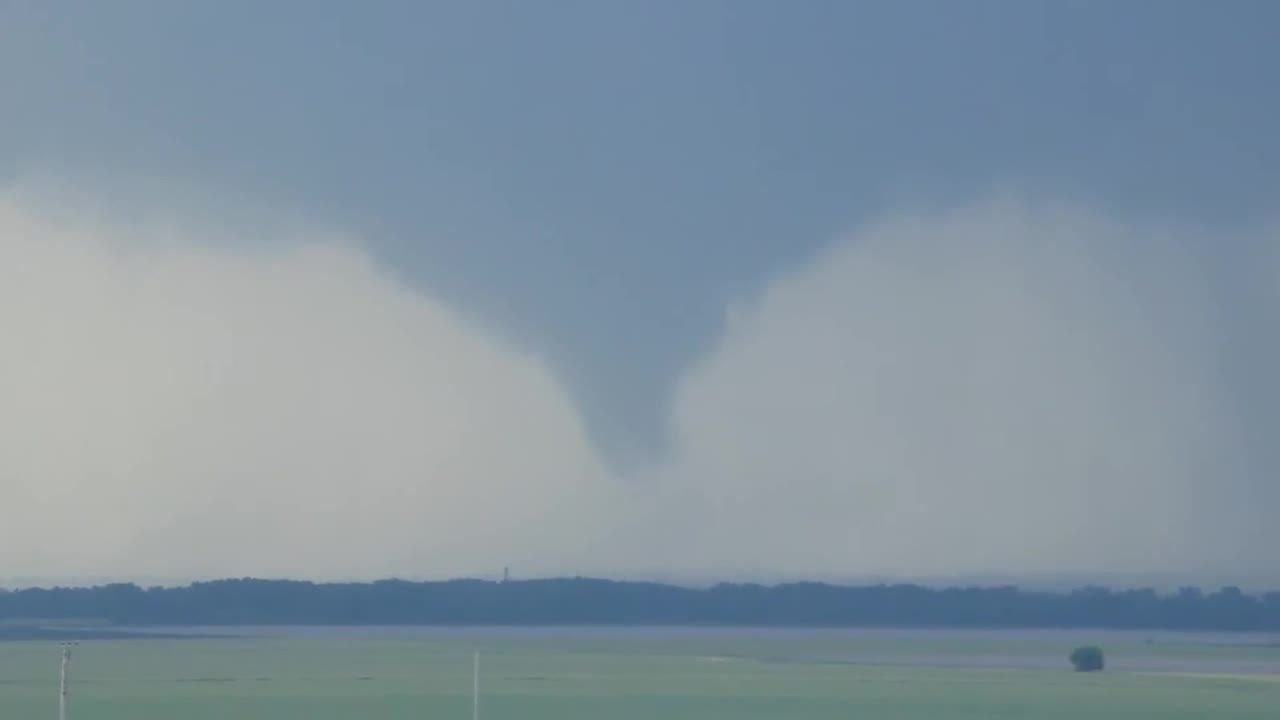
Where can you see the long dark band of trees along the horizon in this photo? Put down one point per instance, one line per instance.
(593, 601)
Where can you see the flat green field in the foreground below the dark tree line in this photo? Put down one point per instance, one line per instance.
(637, 676)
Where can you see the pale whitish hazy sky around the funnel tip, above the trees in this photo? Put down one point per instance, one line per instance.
(1014, 388)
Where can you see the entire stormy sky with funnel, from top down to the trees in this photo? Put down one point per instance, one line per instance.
(715, 290)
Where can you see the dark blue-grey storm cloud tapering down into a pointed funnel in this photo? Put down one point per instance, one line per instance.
(597, 180)
